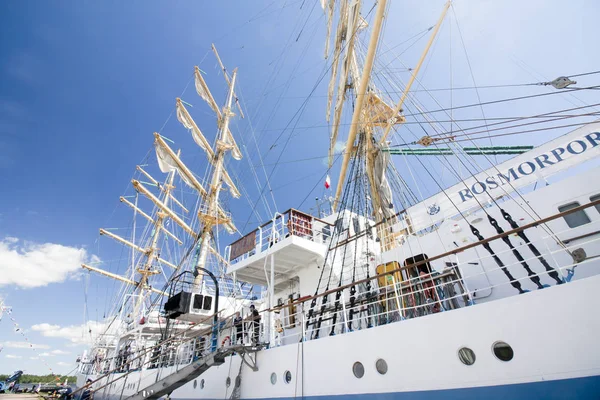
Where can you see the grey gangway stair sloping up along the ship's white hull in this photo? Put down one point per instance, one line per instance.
(190, 372)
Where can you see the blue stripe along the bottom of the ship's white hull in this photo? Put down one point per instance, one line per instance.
(562, 389)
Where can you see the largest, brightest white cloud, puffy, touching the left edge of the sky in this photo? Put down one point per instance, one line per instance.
(30, 265)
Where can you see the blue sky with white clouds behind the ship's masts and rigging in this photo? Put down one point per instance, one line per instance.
(83, 85)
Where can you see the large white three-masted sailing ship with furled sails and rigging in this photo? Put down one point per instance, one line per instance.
(483, 290)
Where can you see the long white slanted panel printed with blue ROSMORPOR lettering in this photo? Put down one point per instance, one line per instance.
(564, 152)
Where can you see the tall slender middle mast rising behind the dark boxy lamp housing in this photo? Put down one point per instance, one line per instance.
(215, 185)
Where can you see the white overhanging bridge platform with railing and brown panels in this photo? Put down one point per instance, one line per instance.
(274, 251)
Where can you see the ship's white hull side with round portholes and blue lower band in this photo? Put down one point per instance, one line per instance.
(553, 333)
